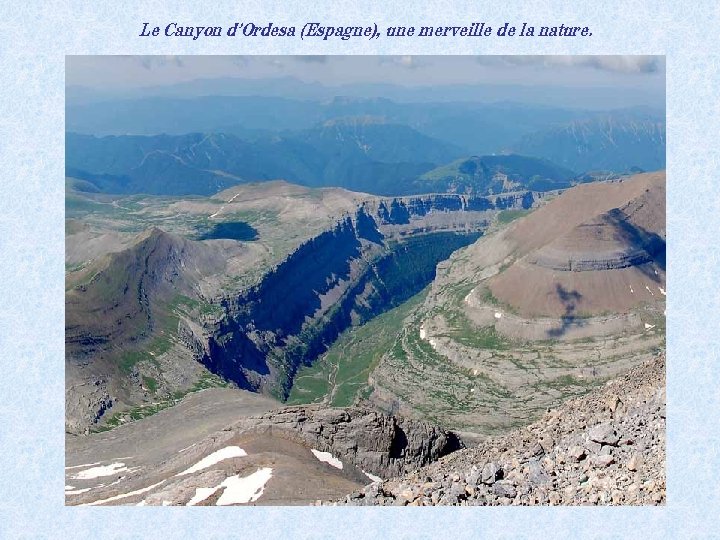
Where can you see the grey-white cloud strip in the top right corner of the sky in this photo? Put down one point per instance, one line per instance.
(613, 63)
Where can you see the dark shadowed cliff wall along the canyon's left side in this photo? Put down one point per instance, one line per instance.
(367, 263)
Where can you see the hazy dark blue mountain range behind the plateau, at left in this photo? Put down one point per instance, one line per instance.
(358, 155)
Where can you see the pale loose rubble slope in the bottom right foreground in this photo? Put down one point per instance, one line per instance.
(607, 447)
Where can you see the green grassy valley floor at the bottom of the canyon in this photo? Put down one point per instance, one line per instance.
(341, 374)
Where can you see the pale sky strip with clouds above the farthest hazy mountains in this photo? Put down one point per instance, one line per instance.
(139, 71)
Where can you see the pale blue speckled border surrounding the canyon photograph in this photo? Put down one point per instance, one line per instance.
(36, 36)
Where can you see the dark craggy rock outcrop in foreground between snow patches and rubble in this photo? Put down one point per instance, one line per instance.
(383, 445)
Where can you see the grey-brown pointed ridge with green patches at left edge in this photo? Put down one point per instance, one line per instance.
(121, 324)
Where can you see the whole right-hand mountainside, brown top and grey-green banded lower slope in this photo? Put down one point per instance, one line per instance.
(541, 310)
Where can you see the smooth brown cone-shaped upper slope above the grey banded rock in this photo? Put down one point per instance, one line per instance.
(612, 261)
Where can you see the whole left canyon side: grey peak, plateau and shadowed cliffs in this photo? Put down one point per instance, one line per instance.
(143, 310)
